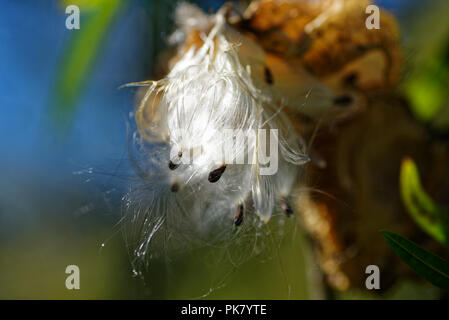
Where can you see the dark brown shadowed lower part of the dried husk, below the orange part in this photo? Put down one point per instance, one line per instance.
(359, 192)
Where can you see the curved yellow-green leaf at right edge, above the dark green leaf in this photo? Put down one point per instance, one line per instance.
(428, 215)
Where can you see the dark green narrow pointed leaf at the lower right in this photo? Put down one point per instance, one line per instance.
(426, 264)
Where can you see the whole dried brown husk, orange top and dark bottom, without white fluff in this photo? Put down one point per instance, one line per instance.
(355, 163)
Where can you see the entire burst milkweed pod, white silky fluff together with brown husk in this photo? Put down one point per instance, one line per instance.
(300, 69)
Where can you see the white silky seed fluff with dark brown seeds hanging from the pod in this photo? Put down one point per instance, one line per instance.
(213, 144)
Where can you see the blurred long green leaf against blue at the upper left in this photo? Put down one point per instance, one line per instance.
(80, 56)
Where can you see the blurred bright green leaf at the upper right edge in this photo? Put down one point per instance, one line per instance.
(426, 84)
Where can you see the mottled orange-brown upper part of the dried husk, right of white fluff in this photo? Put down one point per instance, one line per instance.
(331, 40)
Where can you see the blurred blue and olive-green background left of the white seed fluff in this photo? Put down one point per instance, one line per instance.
(63, 174)
